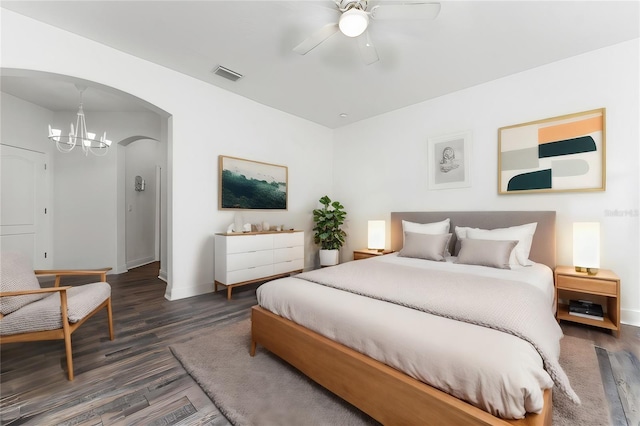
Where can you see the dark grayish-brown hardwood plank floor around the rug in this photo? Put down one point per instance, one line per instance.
(135, 379)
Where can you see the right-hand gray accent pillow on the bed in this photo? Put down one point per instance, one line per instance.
(492, 253)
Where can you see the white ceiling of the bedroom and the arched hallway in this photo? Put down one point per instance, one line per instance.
(469, 43)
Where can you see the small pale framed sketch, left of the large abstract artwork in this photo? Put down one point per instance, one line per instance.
(449, 159)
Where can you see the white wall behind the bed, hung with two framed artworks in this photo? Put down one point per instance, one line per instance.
(384, 159)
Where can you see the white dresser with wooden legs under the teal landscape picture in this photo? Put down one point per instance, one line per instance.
(256, 256)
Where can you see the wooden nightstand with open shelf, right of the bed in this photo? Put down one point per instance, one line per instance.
(602, 288)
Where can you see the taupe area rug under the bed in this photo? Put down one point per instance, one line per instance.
(264, 390)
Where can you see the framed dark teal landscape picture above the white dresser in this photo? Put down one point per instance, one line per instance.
(251, 185)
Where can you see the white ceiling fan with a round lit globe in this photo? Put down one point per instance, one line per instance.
(354, 20)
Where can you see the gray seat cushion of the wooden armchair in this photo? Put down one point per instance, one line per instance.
(45, 314)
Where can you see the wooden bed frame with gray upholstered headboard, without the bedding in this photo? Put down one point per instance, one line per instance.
(384, 393)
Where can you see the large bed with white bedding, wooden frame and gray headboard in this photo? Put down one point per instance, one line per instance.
(350, 346)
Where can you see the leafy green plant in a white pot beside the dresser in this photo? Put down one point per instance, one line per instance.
(328, 232)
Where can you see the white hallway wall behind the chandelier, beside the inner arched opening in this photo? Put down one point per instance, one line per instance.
(85, 192)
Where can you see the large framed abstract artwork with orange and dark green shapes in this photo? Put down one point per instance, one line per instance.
(565, 153)
